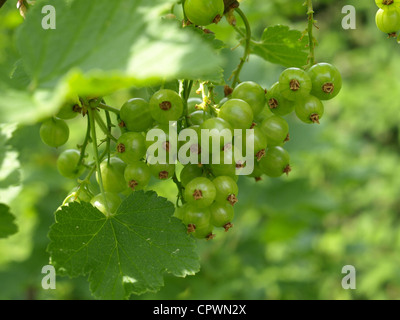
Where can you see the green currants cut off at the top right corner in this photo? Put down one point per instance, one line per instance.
(388, 16)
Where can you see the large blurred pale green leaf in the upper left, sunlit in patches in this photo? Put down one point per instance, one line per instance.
(98, 47)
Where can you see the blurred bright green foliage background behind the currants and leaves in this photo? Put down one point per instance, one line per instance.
(292, 236)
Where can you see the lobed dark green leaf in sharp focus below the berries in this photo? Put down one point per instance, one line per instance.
(125, 253)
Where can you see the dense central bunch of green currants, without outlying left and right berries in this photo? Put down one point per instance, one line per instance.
(208, 191)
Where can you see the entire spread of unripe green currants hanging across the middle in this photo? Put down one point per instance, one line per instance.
(208, 191)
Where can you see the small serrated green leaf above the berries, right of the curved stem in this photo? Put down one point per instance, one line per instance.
(282, 46)
